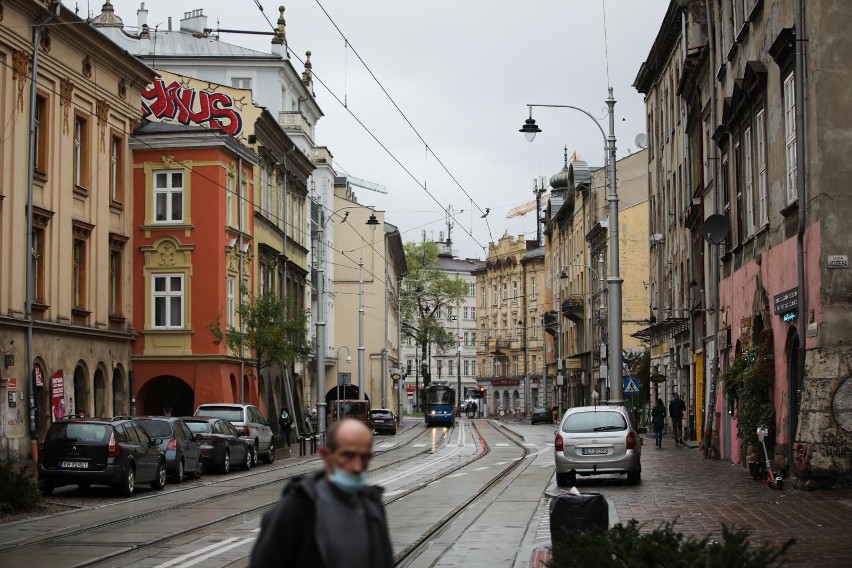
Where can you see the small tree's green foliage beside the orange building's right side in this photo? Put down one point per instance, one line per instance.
(275, 332)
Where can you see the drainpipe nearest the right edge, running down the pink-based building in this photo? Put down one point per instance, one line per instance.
(800, 235)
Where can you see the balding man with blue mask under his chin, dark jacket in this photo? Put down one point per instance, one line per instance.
(331, 518)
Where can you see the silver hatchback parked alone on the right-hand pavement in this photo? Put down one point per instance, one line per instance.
(594, 440)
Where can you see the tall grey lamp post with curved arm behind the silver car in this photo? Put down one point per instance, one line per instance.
(615, 355)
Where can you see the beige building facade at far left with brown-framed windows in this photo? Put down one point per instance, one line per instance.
(87, 96)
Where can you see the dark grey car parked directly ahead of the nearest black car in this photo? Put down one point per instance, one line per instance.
(183, 454)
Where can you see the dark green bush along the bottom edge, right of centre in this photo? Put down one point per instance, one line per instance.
(626, 547)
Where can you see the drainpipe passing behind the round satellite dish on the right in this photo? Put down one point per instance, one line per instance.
(712, 356)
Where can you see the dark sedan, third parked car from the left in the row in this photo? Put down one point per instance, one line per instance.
(220, 443)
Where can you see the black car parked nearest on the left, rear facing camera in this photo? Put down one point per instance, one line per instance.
(89, 452)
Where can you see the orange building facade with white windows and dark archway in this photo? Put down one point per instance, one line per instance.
(193, 233)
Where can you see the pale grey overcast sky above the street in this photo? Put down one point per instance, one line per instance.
(462, 72)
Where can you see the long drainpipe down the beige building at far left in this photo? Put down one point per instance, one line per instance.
(28, 254)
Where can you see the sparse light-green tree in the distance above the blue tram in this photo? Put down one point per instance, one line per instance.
(426, 294)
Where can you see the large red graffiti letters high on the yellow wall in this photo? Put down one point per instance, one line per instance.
(191, 106)
